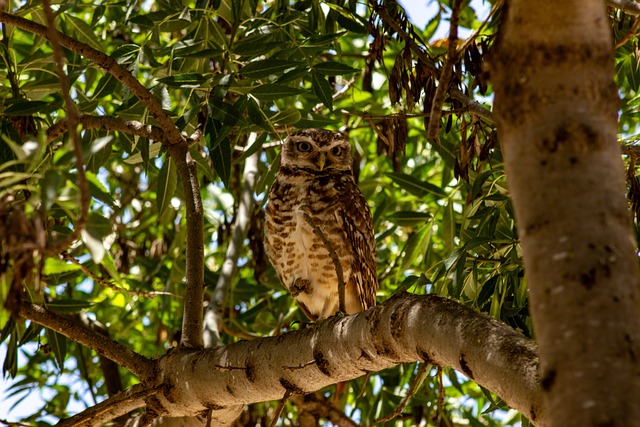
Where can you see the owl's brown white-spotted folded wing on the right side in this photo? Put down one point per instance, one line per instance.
(358, 228)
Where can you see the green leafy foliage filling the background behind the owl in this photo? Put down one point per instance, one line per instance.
(441, 209)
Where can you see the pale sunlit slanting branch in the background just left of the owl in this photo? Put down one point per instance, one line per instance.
(214, 317)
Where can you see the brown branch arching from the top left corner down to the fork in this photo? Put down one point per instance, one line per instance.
(108, 64)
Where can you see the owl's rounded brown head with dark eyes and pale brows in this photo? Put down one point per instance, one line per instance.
(317, 149)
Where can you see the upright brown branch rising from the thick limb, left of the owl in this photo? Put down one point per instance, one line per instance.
(194, 277)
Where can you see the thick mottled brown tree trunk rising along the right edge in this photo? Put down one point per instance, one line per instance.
(555, 106)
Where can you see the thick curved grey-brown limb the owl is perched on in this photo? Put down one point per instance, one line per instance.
(406, 328)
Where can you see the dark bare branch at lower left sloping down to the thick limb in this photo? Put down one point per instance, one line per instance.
(139, 365)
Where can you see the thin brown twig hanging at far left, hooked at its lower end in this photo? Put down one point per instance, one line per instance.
(72, 119)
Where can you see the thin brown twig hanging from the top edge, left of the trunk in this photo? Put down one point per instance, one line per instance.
(446, 73)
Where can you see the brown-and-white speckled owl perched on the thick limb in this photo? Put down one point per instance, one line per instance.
(315, 204)
